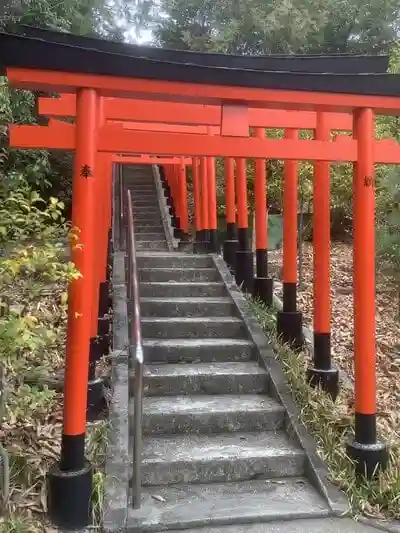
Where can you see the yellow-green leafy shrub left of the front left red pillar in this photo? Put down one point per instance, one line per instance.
(32, 263)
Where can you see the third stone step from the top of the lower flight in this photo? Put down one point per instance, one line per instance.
(167, 290)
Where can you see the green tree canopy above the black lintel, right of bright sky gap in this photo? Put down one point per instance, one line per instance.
(268, 26)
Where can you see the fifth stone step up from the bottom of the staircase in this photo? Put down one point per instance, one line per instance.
(197, 350)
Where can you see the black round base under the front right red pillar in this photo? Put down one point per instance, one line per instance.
(369, 459)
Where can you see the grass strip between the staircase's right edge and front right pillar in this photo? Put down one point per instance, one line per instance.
(331, 424)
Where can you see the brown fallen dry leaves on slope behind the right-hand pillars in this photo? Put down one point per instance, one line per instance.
(387, 328)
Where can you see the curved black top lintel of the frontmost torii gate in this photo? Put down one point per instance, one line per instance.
(33, 53)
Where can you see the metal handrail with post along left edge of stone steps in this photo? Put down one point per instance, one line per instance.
(135, 352)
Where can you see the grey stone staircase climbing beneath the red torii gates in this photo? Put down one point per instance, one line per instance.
(217, 448)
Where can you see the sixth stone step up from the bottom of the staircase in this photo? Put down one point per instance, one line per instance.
(193, 327)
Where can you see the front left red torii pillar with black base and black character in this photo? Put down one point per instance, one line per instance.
(74, 475)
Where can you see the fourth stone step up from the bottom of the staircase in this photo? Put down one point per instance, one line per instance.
(205, 378)
